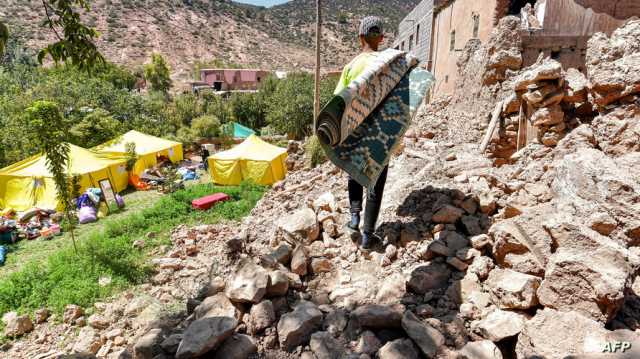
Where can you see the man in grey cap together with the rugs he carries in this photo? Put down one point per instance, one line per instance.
(364, 122)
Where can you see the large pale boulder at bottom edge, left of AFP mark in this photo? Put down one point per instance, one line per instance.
(554, 334)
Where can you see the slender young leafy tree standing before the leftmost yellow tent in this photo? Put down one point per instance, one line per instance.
(45, 120)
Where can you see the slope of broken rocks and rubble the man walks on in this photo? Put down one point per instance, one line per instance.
(535, 258)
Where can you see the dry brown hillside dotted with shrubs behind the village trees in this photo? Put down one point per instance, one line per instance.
(187, 31)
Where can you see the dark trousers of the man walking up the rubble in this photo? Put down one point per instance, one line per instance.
(373, 200)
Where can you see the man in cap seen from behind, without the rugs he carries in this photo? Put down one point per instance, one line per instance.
(371, 36)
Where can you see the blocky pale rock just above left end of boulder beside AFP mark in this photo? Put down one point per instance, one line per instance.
(513, 290)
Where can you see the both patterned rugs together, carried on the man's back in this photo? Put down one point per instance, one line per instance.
(362, 126)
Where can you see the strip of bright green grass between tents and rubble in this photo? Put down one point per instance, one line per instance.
(64, 277)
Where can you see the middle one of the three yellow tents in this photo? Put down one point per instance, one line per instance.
(147, 147)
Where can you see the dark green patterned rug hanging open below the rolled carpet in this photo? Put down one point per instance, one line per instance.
(366, 150)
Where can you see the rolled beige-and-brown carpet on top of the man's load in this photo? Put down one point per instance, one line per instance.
(348, 109)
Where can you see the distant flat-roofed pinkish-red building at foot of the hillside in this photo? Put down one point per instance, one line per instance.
(230, 79)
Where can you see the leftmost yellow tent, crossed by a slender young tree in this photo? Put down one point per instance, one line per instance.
(29, 183)
